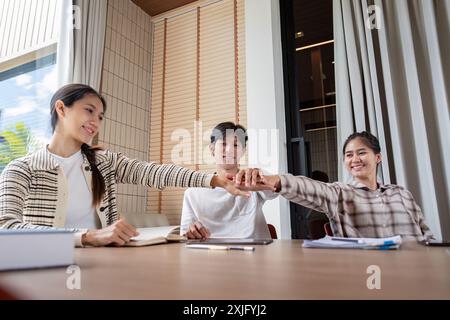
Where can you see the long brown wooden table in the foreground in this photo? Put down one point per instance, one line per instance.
(282, 270)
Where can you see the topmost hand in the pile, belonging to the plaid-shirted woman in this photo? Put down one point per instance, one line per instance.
(254, 180)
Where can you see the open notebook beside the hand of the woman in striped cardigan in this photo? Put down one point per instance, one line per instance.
(156, 235)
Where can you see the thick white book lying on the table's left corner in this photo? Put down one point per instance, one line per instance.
(25, 249)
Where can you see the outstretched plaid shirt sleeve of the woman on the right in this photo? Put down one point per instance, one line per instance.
(315, 195)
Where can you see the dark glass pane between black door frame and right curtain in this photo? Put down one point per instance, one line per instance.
(316, 98)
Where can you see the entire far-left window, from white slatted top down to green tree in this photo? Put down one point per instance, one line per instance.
(28, 45)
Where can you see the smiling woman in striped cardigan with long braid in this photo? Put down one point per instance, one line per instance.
(69, 184)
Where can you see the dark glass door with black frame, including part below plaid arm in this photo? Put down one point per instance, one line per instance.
(310, 99)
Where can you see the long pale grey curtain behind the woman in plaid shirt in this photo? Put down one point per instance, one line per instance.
(394, 81)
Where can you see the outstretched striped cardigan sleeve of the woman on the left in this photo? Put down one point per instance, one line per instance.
(159, 176)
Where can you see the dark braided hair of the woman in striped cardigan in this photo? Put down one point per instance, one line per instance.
(69, 94)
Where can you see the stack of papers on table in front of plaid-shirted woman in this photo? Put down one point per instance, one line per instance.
(355, 243)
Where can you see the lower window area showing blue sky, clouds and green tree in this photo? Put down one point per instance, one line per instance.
(24, 107)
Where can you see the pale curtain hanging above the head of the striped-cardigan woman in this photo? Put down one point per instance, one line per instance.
(81, 41)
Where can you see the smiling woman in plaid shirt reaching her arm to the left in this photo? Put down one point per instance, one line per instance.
(363, 208)
